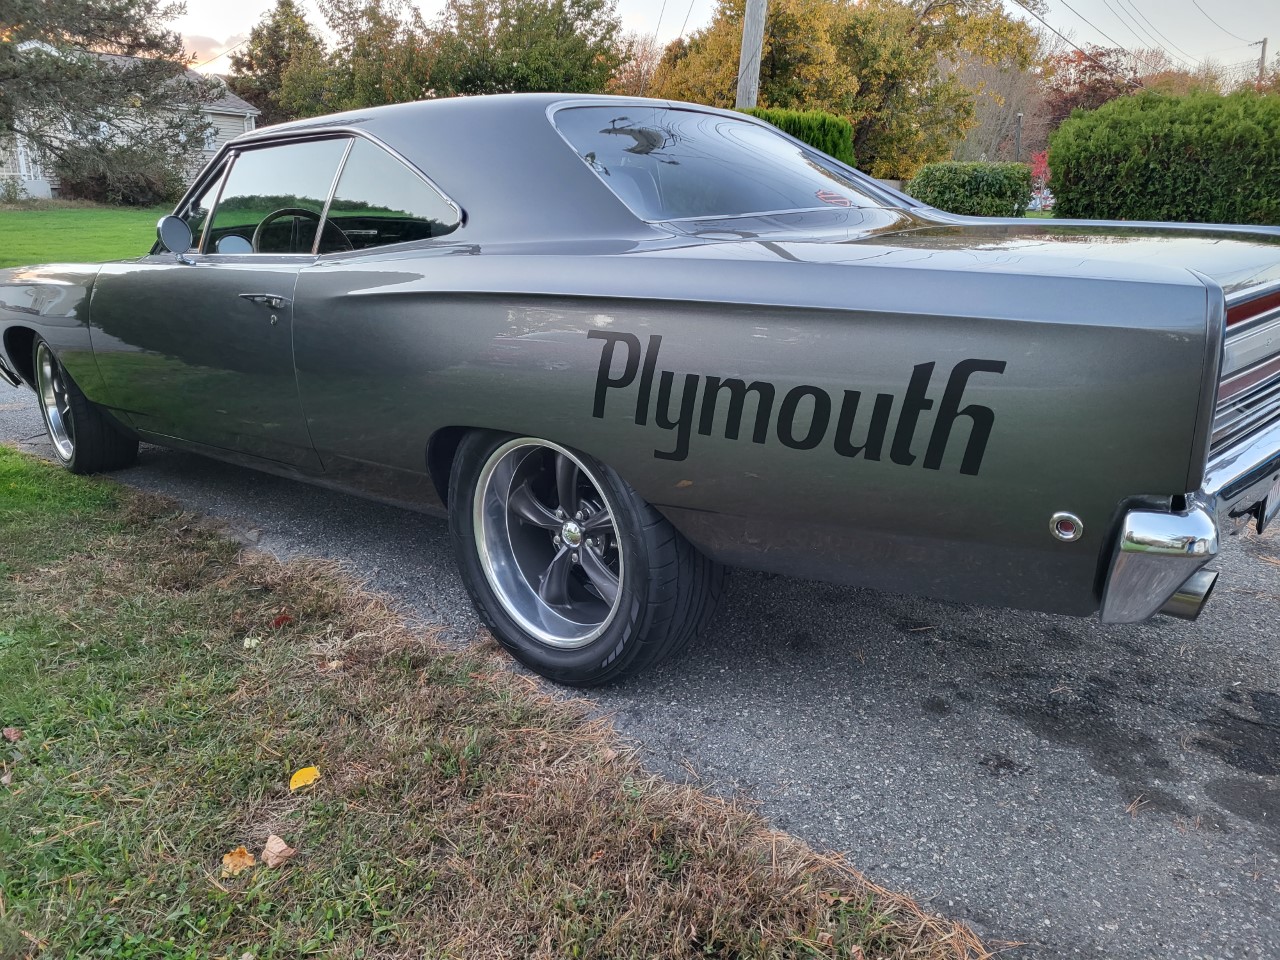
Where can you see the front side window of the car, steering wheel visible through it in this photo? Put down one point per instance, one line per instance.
(275, 199)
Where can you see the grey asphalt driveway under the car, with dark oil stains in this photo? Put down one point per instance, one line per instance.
(1095, 792)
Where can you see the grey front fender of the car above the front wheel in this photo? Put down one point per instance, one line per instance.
(52, 301)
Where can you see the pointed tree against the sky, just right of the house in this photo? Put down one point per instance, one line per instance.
(282, 36)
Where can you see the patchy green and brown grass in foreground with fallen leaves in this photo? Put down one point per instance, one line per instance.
(167, 685)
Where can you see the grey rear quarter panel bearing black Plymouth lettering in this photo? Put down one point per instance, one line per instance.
(1096, 403)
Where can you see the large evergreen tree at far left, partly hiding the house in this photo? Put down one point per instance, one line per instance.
(106, 75)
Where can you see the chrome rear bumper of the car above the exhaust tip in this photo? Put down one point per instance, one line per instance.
(1158, 559)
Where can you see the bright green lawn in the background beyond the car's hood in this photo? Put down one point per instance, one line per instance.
(76, 234)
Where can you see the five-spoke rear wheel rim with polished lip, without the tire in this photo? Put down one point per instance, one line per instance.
(548, 543)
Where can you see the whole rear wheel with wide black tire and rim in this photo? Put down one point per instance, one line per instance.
(666, 591)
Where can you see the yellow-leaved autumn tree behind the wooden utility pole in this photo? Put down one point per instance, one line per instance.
(879, 63)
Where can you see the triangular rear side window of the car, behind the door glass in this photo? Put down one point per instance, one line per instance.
(381, 202)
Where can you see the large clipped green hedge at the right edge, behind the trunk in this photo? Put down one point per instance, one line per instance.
(1197, 158)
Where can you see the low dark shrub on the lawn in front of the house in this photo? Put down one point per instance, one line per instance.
(118, 175)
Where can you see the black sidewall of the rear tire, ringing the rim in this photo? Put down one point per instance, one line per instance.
(621, 641)
